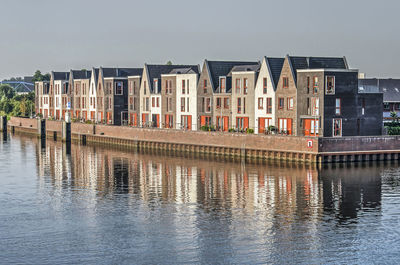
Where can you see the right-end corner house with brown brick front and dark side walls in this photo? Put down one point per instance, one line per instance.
(330, 105)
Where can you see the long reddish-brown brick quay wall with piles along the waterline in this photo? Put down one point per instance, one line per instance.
(266, 147)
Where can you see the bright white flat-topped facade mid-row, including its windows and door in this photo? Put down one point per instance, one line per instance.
(186, 101)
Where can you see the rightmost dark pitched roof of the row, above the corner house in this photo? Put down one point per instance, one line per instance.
(302, 62)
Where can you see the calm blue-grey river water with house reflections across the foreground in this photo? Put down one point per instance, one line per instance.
(105, 206)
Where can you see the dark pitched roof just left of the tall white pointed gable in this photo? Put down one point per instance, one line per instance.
(217, 69)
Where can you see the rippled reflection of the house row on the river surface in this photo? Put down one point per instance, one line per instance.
(285, 191)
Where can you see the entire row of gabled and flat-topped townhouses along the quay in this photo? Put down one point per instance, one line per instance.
(305, 96)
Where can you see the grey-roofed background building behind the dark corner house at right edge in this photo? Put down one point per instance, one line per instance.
(391, 93)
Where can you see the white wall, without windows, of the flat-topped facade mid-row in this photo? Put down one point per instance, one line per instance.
(191, 95)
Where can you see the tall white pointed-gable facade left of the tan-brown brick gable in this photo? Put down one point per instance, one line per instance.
(261, 111)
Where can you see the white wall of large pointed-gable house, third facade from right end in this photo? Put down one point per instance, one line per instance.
(259, 93)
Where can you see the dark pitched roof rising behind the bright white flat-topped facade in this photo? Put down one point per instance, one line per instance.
(156, 70)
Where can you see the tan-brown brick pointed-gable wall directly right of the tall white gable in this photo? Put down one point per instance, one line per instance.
(285, 93)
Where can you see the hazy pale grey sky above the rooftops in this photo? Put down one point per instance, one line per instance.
(64, 34)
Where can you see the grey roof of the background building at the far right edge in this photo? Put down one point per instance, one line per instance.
(389, 87)
